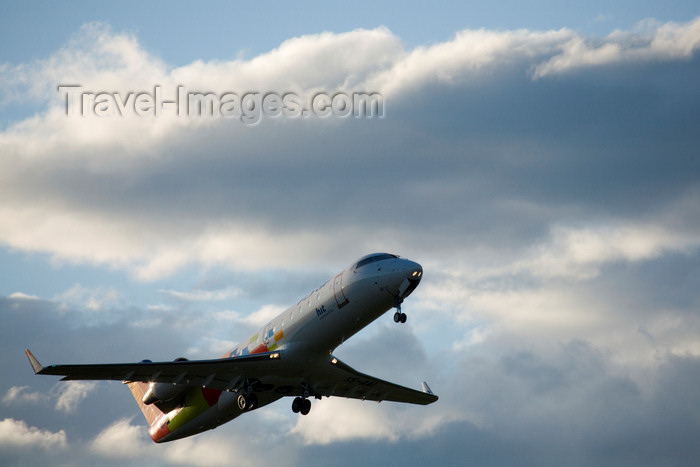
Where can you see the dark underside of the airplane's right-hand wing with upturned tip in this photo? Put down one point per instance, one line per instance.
(338, 379)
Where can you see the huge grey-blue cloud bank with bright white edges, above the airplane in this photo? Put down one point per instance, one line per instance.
(474, 145)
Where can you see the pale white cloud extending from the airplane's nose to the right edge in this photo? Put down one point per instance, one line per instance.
(555, 292)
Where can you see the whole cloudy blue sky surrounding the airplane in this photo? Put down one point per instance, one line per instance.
(539, 160)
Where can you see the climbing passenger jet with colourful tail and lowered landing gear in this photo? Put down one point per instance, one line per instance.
(292, 355)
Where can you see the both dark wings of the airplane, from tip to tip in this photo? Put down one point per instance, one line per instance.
(326, 378)
